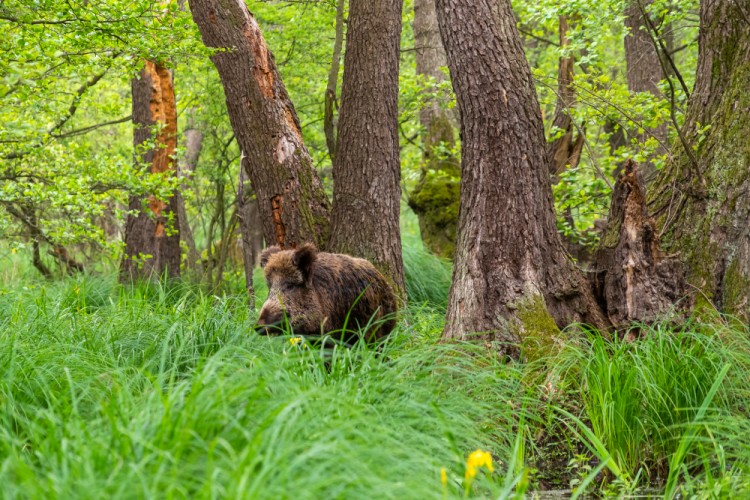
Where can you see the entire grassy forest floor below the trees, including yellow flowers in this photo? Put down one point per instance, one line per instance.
(166, 391)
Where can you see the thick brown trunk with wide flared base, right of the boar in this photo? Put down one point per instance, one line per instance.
(512, 280)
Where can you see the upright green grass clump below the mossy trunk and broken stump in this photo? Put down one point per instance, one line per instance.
(660, 406)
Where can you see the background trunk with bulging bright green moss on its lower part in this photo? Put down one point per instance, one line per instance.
(435, 197)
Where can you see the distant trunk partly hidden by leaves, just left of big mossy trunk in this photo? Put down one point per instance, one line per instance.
(644, 70)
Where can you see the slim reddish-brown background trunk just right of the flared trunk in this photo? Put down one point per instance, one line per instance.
(565, 149)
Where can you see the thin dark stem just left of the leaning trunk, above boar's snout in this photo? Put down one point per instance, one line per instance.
(250, 232)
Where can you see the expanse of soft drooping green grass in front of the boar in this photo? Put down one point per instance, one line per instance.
(164, 392)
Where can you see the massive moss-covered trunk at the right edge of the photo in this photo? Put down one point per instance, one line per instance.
(702, 200)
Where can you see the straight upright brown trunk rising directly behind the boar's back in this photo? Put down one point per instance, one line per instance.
(367, 170)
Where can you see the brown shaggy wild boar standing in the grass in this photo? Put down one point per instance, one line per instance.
(316, 291)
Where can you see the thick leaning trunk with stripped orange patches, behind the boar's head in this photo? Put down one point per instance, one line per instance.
(292, 203)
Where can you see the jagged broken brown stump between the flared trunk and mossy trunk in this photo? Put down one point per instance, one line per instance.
(634, 280)
